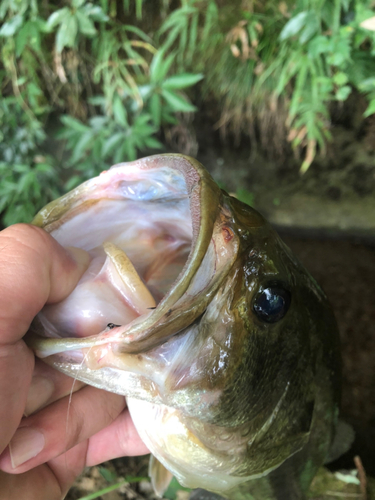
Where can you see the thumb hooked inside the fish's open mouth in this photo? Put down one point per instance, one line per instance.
(34, 269)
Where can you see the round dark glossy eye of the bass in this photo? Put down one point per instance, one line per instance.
(272, 303)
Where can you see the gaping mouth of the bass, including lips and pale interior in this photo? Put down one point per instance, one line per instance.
(157, 231)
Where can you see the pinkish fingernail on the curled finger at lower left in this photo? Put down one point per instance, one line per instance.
(26, 444)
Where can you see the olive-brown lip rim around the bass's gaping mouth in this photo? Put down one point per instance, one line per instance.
(147, 331)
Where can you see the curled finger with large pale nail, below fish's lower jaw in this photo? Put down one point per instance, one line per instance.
(60, 426)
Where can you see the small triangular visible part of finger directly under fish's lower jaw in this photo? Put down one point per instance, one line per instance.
(47, 386)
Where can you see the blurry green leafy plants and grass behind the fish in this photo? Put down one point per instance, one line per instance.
(116, 74)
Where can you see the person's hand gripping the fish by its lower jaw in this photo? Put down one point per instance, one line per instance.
(69, 425)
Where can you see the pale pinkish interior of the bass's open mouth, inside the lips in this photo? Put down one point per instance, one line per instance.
(144, 214)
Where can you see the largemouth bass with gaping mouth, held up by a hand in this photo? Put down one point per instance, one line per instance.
(196, 311)
